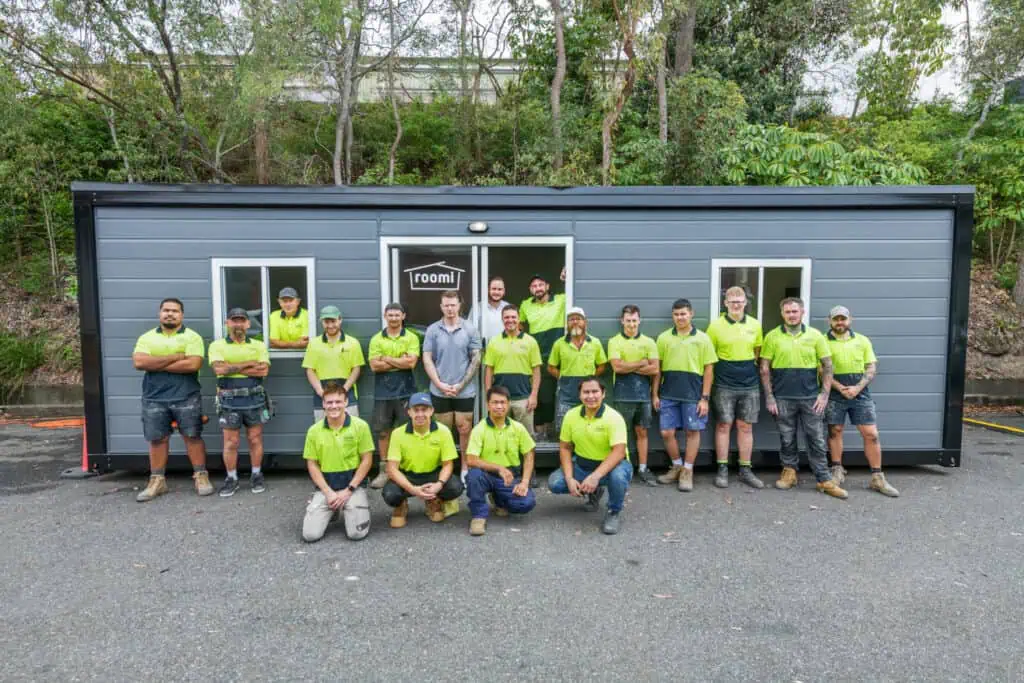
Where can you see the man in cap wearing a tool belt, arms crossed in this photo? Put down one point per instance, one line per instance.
(241, 365)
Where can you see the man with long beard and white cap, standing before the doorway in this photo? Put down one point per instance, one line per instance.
(574, 358)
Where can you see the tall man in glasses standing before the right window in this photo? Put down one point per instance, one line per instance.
(736, 397)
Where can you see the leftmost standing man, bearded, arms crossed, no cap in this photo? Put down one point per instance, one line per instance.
(172, 357)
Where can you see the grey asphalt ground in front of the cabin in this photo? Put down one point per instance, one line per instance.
(711, 586)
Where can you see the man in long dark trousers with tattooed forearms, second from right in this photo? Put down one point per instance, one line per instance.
(790, 360)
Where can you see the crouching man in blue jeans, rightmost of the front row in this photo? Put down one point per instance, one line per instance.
(592, 454)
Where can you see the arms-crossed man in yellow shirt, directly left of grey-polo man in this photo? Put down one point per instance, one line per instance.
(394, 354)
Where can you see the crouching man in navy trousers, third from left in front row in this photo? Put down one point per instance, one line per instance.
(500, 458)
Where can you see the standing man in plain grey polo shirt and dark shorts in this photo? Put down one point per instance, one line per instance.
(451, 359)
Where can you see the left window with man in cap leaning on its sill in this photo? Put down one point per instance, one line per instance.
(253, 285)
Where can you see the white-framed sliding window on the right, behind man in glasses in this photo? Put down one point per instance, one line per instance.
(766, 282)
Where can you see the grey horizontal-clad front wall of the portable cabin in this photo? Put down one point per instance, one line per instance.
(891, 268)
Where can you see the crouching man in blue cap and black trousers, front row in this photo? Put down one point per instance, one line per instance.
(421, 463)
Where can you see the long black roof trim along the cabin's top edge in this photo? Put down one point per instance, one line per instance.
(101, 194)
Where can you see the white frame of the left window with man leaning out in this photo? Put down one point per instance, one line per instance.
(218, 267)
